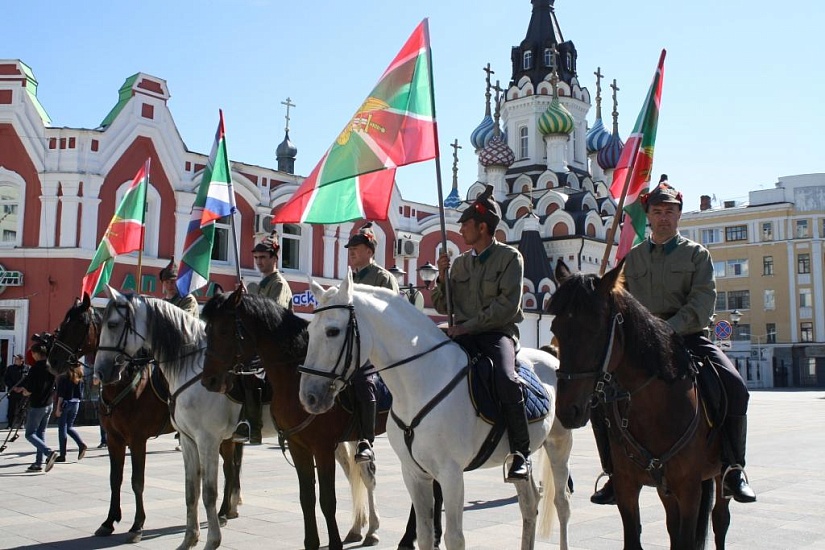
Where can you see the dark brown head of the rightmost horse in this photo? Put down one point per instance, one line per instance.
(582, 325)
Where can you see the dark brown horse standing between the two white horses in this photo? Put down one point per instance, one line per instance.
(240, 327)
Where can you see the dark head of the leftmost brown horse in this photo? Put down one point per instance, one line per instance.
(75, 337)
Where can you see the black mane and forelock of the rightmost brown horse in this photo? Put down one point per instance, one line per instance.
(649, 342)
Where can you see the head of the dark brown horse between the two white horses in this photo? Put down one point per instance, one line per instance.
(227, 341)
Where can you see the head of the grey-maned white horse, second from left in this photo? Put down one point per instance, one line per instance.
(122, 331)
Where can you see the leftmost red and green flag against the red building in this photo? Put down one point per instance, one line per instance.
(124, 234)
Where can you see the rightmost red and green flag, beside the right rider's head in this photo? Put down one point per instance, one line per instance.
(632, 174)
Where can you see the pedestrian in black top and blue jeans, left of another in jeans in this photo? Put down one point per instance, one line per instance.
(38, 386)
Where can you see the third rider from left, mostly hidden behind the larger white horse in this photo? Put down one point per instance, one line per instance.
(361, 253)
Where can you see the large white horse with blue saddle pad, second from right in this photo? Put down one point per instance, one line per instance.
(436, 433)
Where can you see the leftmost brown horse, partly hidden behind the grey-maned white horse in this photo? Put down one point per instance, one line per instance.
(131, 412)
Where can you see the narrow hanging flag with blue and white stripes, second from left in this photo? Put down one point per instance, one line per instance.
(215, 200)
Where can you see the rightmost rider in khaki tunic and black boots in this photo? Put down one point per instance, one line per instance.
(673, 278)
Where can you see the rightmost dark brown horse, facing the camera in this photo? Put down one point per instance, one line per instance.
(618, 358)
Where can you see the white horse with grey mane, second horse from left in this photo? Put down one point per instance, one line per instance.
(203, 419)
